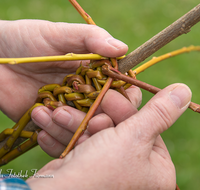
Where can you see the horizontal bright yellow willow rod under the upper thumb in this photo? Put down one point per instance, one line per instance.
(67, 57)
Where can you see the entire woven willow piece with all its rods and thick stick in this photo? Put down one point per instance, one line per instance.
(85, 89)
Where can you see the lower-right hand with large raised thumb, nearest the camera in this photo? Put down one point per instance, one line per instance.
(131, 155)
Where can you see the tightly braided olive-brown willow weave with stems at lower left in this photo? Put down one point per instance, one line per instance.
(78, 90)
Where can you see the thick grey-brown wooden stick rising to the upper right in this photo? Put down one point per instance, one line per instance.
(179, 27)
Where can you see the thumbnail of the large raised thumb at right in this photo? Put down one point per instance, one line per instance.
(181, 96)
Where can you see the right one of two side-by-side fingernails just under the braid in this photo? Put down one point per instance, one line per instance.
(63, 118)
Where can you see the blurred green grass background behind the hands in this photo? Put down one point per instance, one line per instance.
(133, 22)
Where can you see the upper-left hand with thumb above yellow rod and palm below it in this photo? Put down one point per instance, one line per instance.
(26, 38)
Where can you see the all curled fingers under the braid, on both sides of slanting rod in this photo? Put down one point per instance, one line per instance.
(60, 125)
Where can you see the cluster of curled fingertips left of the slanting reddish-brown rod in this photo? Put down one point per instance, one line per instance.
(56, 136)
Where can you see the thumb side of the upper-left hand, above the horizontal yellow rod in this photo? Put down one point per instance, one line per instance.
(51, 38)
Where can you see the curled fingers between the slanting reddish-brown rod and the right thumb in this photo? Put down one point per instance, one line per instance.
(115, 112)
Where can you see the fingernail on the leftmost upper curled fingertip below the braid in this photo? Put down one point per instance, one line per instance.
(42, 118)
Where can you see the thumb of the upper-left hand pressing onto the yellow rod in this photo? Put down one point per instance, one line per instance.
(83, 38)
